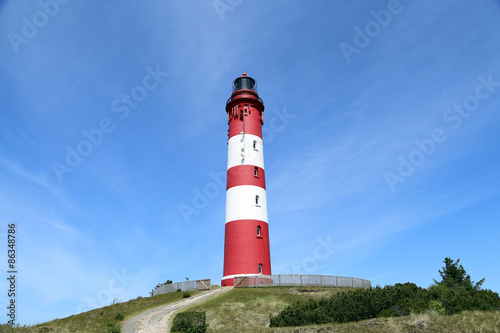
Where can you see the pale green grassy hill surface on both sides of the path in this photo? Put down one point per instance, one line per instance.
(248, 310)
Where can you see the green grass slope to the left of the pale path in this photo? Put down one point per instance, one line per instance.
(96, 321)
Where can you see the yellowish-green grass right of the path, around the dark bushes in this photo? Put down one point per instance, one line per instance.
(248, 309)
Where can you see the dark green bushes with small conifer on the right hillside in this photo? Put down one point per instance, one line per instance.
(455, 293)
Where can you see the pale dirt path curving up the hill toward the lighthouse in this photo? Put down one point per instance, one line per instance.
(157, 320)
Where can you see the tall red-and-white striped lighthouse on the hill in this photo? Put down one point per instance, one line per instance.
(246, 240)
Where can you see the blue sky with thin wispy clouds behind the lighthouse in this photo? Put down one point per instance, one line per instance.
(381, 141)
